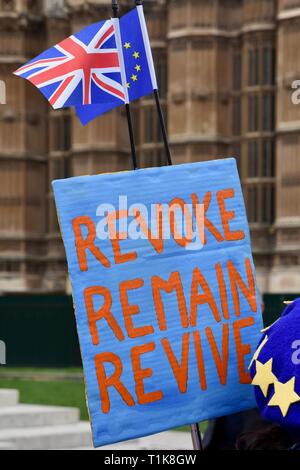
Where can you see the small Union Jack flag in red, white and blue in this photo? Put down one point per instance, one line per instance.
(83, 69)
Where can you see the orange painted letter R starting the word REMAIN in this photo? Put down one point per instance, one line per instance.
(103, 312)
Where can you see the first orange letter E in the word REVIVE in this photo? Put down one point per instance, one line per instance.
(141, 374)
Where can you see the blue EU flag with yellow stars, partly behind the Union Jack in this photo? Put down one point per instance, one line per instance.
(138, 65)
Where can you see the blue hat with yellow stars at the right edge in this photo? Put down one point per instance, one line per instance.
(275, 371)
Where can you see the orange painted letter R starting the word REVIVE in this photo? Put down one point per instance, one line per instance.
(114, 380)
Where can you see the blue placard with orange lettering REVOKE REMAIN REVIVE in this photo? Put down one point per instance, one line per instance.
(167, 309)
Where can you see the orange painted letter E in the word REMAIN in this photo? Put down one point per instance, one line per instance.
(129, 310)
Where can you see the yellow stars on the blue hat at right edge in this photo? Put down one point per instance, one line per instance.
(284, 393)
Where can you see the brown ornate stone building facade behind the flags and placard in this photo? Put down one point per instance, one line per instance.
(225, 69)
